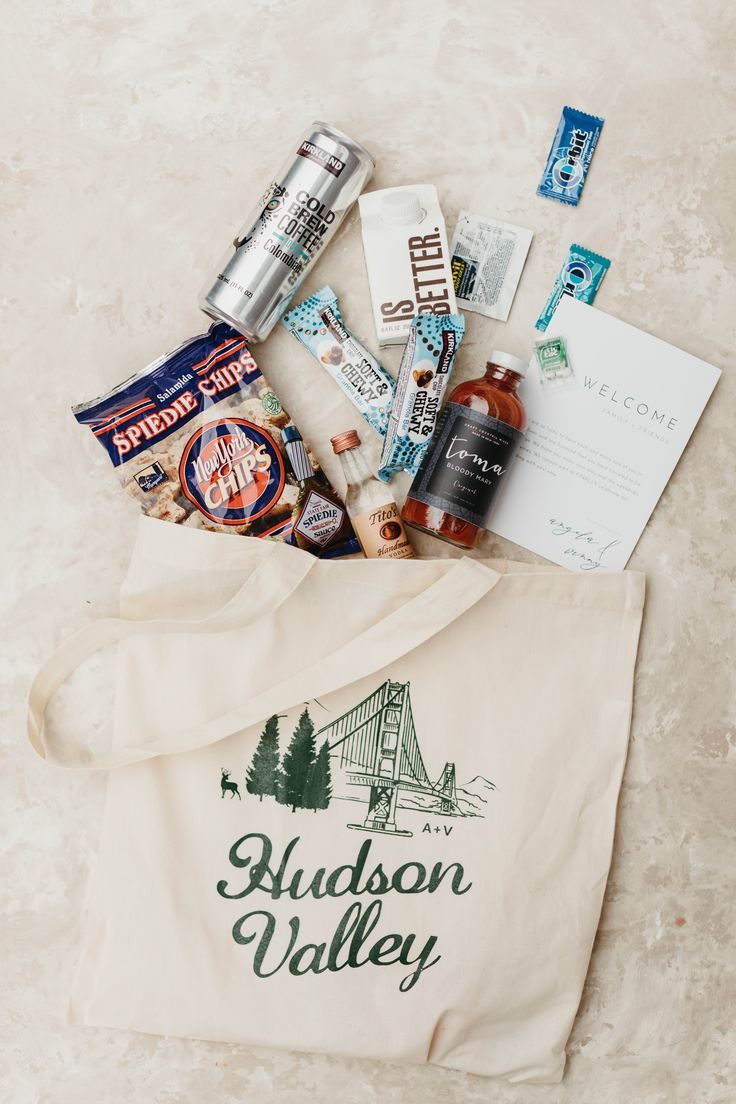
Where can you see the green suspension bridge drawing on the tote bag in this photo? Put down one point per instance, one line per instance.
(378, 747)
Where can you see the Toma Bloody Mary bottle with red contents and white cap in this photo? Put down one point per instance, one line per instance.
(477, 436)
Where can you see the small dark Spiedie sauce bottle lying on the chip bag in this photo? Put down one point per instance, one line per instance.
(321, 521)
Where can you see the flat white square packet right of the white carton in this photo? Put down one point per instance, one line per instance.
(488, 259)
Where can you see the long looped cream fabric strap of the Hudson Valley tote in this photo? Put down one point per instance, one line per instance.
(397, 634)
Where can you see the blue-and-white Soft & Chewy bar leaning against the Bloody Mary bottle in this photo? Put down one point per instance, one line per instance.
(423, 377)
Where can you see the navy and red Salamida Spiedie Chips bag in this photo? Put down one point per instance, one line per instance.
(197, 440)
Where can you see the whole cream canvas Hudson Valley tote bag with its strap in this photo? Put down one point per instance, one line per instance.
(357, 808)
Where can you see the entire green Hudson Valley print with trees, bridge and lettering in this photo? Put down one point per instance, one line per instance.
(371, 756)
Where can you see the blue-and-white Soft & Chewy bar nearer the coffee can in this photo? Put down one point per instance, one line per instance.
(318, 324)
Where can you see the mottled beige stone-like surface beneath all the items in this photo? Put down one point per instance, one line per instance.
(136, 137)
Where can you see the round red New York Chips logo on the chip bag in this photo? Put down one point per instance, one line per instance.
(232, 471)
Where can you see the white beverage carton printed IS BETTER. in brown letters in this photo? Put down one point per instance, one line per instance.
(408, 259)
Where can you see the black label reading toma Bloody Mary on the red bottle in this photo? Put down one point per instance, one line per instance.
(463, 469)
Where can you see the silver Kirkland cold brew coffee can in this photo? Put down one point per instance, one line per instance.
(296, 218)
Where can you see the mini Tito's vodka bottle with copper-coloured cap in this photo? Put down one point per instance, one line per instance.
(375, 515)
